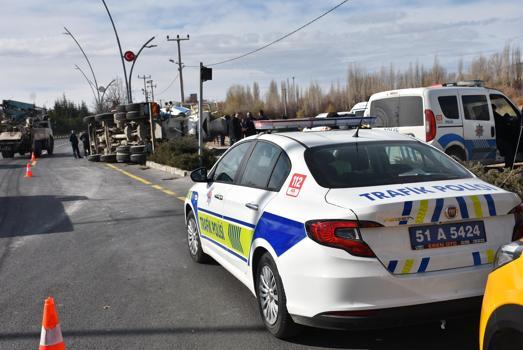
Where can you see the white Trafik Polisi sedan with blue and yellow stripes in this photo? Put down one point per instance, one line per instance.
(348, 229)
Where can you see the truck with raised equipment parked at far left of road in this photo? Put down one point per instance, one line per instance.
(24, 128)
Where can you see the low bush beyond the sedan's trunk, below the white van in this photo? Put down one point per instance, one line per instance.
(510, 180)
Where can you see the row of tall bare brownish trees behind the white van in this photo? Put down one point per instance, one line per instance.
(502, 70)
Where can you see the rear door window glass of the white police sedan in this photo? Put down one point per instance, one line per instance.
(260, 165)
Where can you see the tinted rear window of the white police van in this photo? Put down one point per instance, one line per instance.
(398, 111)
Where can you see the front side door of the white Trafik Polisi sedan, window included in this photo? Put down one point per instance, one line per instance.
(210, 208)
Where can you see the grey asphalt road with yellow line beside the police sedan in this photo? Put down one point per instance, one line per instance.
(111, 249)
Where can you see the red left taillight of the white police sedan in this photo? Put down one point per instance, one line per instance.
(343, 234)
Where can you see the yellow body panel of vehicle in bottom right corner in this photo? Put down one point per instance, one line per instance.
(504, 287)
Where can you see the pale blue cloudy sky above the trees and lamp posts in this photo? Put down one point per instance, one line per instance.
(37, 61)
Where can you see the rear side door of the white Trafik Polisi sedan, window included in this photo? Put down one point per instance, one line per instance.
(262, 176)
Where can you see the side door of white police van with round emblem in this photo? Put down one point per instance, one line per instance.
(478, 125)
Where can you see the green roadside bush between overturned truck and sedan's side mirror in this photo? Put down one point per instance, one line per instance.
(182, 153)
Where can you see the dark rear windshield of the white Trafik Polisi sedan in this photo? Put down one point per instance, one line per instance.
(380, 163)
